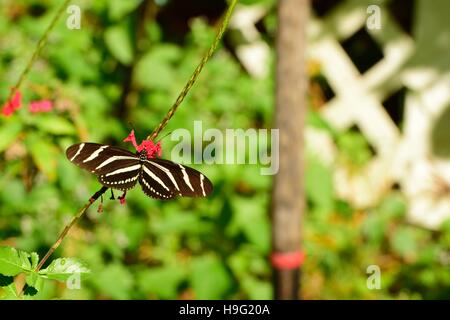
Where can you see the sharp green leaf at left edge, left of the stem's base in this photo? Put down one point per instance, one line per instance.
(13, 262)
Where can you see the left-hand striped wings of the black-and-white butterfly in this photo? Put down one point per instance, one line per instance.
(115, 167)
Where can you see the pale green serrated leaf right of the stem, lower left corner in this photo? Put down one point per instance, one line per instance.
(62, 268)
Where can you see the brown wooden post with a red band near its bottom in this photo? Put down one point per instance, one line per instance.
(290, 109)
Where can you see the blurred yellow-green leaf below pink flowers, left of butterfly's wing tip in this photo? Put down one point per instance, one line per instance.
(44, 155)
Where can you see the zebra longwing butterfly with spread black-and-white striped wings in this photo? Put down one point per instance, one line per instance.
(121, 169)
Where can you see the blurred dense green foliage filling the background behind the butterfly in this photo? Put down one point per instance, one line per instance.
(204, 248)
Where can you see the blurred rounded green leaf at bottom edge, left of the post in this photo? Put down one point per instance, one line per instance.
(209, 278)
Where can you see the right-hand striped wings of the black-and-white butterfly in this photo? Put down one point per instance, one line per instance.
(163, 179)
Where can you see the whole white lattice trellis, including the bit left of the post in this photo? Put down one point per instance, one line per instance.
(402, 157)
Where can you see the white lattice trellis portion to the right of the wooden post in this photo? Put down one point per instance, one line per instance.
(402, 157)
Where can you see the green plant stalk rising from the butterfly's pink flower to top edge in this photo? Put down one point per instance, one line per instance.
(196, 73)
